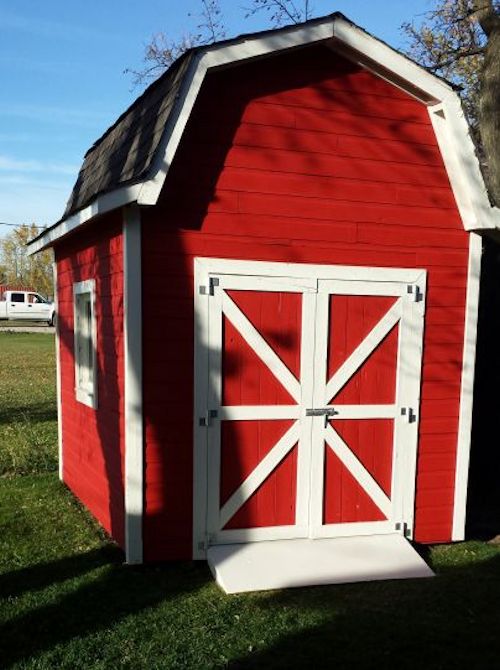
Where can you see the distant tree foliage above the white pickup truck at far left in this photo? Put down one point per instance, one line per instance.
(19, 268)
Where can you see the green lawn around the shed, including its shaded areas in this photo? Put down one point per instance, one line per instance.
(67, 600)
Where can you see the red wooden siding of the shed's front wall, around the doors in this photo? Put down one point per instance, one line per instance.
(301, 158)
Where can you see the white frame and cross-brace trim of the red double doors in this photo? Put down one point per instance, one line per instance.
(208, 333)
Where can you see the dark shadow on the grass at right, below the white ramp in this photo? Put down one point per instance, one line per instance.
(450, 621)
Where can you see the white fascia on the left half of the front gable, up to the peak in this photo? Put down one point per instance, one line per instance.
(245, 49)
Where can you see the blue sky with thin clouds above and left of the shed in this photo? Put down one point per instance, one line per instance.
(64, 82)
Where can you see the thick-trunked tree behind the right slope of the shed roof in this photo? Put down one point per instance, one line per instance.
(460, 40)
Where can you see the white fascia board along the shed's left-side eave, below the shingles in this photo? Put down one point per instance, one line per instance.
(102, 204)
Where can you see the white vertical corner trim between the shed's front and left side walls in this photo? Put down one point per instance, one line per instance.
(132, 336)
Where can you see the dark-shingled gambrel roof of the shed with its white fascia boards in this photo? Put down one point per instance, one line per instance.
(129, 163)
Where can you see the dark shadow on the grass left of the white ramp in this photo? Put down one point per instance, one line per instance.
(116, 592)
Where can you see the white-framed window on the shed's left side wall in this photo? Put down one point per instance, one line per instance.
(85, 343)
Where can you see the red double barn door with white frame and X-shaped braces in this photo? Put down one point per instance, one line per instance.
(307, 398)
